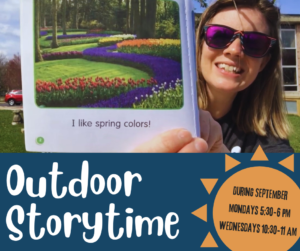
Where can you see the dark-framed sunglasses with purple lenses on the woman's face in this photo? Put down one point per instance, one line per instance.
(254, 44)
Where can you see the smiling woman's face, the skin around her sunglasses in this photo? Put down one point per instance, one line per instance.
(214, 61)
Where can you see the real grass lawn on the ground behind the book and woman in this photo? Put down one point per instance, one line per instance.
(12, 140)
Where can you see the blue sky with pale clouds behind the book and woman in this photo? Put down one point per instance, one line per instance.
(10, 22)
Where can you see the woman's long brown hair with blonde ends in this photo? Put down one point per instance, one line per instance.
(260, 107)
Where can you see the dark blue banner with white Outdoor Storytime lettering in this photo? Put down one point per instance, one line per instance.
(118, 201)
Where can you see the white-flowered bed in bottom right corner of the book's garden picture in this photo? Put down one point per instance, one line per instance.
(163, 98)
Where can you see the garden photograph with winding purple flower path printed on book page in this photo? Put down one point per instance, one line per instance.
(108, 54)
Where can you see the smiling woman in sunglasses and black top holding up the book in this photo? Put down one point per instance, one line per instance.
(239, 83)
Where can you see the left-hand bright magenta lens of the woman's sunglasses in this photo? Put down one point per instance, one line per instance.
(218, 37)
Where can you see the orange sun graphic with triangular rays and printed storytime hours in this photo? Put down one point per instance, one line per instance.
(254, 209)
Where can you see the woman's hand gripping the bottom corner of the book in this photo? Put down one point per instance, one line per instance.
(181, 141)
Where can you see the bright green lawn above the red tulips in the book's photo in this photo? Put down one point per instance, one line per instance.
(69, 68)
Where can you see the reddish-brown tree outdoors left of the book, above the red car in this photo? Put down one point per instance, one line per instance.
(12, 77)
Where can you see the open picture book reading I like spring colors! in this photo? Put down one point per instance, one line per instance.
(106, 76)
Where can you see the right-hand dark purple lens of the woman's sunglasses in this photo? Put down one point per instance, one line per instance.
(255, 44)
